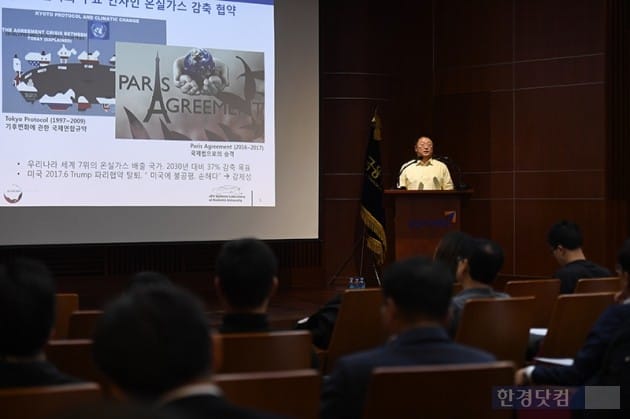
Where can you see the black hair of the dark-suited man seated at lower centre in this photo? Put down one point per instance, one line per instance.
(419, 287)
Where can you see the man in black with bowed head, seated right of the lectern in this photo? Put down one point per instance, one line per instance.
(565, 240)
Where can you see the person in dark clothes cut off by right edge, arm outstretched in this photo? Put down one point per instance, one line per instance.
(589, 358)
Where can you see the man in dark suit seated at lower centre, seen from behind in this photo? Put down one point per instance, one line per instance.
(416, 295)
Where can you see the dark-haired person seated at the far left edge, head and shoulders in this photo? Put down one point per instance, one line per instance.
(27, 313)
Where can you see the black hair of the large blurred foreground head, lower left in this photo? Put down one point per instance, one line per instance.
(152, 340)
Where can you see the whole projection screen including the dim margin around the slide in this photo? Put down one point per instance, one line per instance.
(158, 121)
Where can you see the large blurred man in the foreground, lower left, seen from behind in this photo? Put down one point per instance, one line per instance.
(153, 344)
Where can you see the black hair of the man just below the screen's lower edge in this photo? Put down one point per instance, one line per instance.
(246, 269)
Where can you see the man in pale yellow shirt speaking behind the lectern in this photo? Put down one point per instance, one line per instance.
(424, 172)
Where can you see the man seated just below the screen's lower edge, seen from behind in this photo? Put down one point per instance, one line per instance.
(245, 279)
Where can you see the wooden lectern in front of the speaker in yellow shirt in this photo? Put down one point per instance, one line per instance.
(421, 218)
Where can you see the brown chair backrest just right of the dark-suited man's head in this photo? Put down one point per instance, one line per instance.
(497, 325)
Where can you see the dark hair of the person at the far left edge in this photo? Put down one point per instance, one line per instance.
(27, 307)
